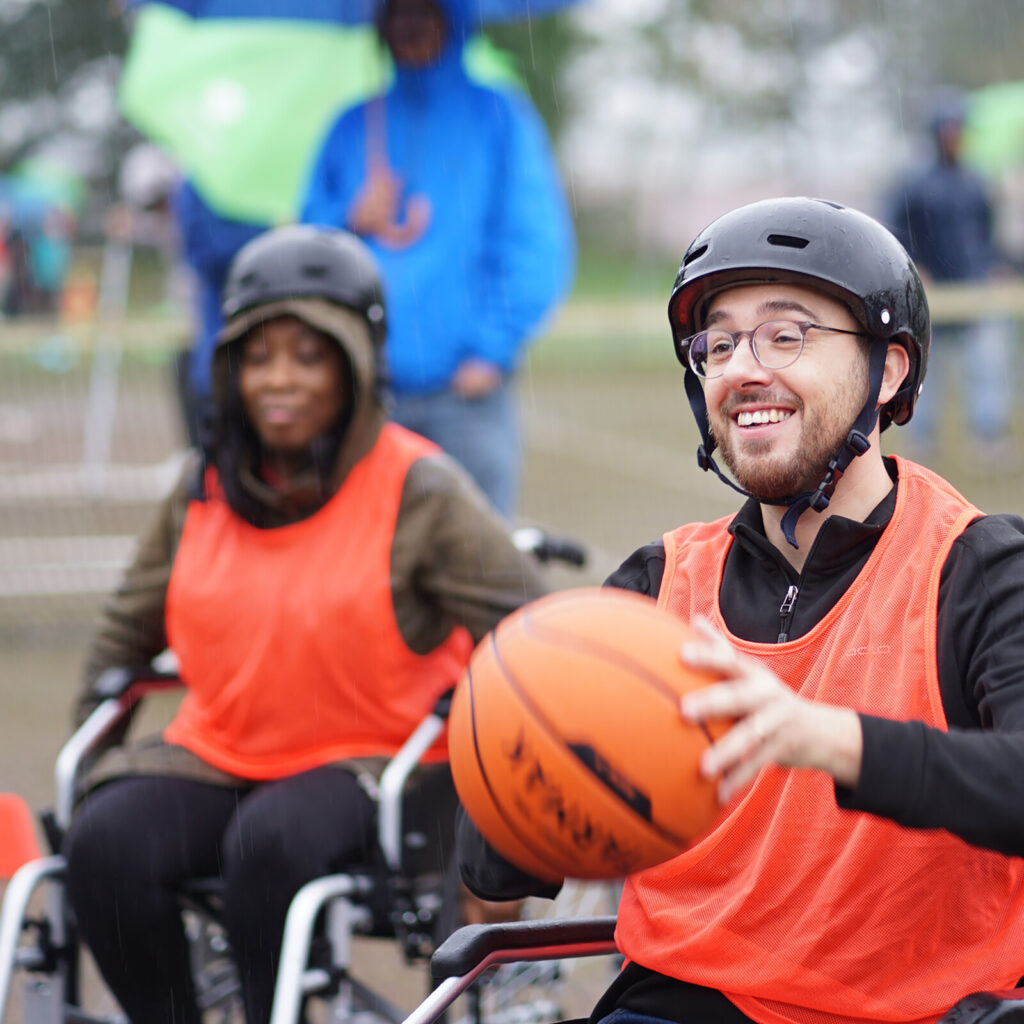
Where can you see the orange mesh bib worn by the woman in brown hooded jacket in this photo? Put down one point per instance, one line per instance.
(287, 638)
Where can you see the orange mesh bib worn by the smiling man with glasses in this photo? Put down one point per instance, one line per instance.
(802, 913)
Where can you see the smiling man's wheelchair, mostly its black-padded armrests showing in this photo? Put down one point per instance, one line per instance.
(471, 952)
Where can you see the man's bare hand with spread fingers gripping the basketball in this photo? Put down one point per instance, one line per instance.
(774, 724)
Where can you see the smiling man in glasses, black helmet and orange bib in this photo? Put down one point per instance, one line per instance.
(865, 621)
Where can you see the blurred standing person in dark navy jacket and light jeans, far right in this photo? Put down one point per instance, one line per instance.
(944, 216)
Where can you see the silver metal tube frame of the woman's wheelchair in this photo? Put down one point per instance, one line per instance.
(52, 993)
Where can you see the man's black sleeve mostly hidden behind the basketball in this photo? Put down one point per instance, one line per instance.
(486, 872)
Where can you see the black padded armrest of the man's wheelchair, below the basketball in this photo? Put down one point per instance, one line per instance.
(476, 948)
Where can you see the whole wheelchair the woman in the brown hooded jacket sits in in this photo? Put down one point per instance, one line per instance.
(407, 894)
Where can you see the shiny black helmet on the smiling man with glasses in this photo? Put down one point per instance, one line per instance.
(834, 248)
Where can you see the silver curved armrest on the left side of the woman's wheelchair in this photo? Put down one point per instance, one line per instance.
(121, 690)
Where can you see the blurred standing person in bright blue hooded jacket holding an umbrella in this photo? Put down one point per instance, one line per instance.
(454, 186)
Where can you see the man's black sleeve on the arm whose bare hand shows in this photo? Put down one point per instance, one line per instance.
(970, 780)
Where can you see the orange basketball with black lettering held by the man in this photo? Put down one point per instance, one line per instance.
(568, 748)
